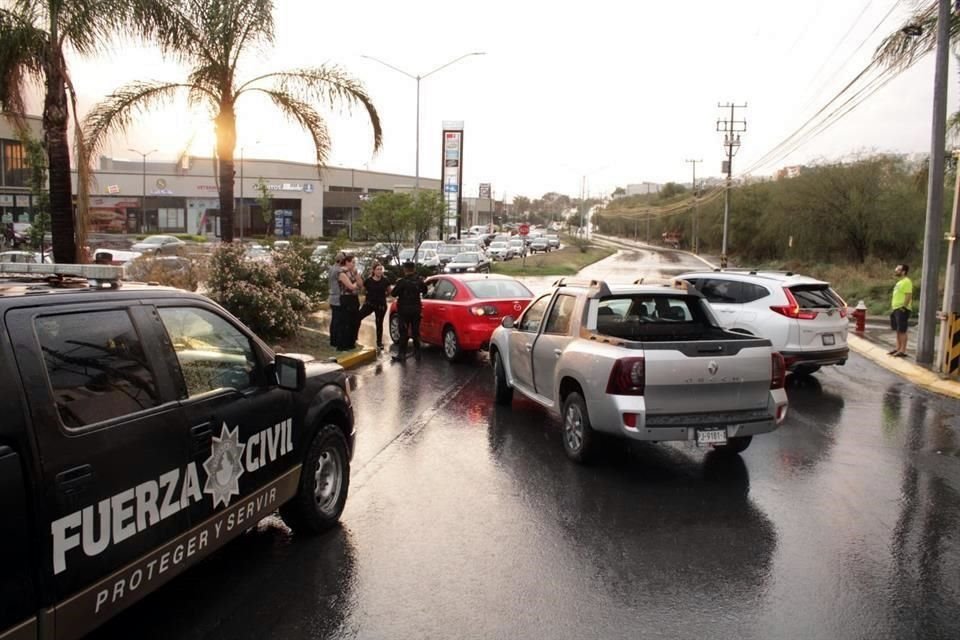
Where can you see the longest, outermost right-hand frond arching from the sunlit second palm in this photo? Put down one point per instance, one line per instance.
(329, 85)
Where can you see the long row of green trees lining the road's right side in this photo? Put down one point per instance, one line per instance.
(840, 212)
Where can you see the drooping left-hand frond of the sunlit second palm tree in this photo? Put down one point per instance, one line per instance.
(116, 112)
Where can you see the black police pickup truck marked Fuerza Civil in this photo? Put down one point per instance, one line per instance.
(142, 428)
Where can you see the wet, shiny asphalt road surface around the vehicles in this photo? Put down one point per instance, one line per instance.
(465, 520)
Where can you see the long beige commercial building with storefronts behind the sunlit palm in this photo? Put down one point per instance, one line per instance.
(136, 196)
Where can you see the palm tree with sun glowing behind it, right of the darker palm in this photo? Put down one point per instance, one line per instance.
(213, 36)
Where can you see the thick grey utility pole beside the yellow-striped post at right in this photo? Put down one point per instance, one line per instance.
(934, 225)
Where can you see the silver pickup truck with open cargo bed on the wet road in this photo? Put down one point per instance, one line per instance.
(642, 361)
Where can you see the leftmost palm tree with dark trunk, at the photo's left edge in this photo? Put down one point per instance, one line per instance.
(35, 36)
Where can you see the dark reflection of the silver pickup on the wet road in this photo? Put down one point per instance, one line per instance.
(664, 528)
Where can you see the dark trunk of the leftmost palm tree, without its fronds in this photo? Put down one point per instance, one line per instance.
(57, 145)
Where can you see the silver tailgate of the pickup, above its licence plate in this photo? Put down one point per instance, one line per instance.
(702, 377)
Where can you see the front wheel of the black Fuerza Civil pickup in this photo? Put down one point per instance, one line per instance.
(324, 481)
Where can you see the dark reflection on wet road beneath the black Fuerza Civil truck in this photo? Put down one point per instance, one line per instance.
(268, 583)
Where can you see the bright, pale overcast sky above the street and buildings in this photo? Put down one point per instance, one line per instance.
(619, 92)
